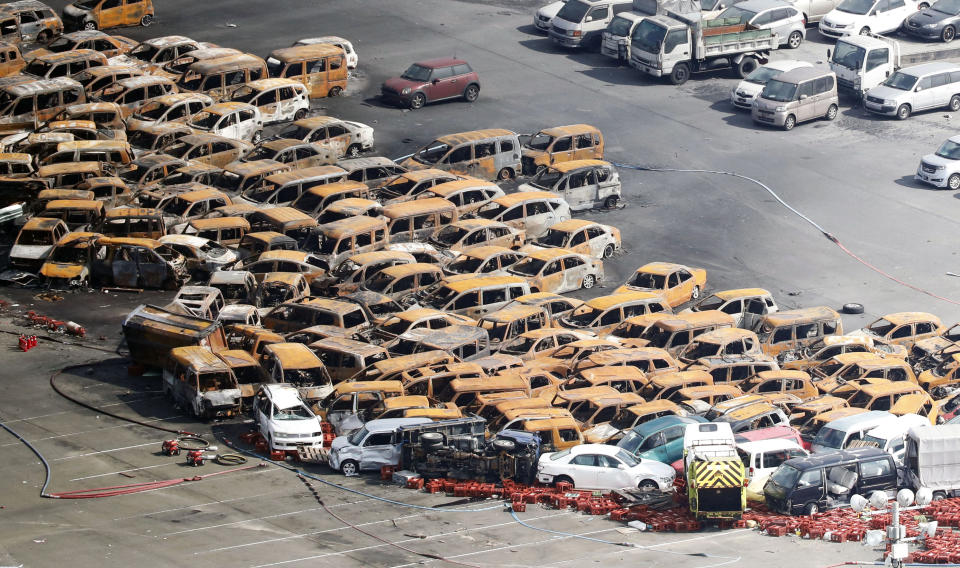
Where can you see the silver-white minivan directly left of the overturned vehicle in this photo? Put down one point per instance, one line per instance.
(374, 445)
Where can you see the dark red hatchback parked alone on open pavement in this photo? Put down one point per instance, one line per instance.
(432, 80)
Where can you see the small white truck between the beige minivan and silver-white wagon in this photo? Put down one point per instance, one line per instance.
(862, 62)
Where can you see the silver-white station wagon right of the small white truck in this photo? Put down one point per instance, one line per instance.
(921, 87)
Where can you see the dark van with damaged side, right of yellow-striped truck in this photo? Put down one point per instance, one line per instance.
(803, 486)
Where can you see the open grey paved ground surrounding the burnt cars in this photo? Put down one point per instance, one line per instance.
(853, 177)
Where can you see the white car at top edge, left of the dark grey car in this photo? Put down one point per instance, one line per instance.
(862, 17)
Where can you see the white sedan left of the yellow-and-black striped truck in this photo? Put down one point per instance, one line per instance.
(600, 466)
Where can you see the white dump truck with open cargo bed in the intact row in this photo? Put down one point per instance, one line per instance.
(680, 42)
